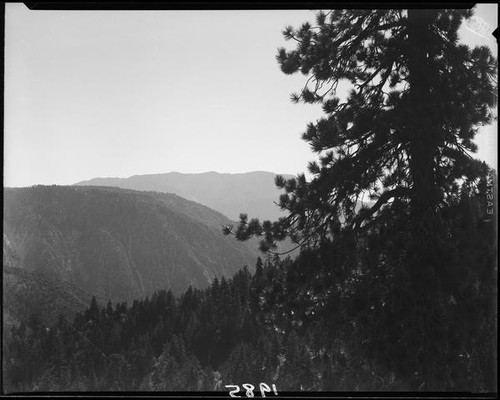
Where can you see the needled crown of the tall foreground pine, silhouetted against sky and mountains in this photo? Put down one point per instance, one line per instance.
(401, 138)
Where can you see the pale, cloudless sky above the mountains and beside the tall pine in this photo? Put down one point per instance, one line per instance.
(120, 93)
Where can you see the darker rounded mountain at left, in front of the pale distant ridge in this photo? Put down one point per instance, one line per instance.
(117, 244)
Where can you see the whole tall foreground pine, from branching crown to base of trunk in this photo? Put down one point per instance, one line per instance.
(393, 154)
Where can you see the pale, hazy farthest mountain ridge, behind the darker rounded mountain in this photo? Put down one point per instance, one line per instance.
(253, 193)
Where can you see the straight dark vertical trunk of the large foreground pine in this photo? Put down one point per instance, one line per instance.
(423, 255)
